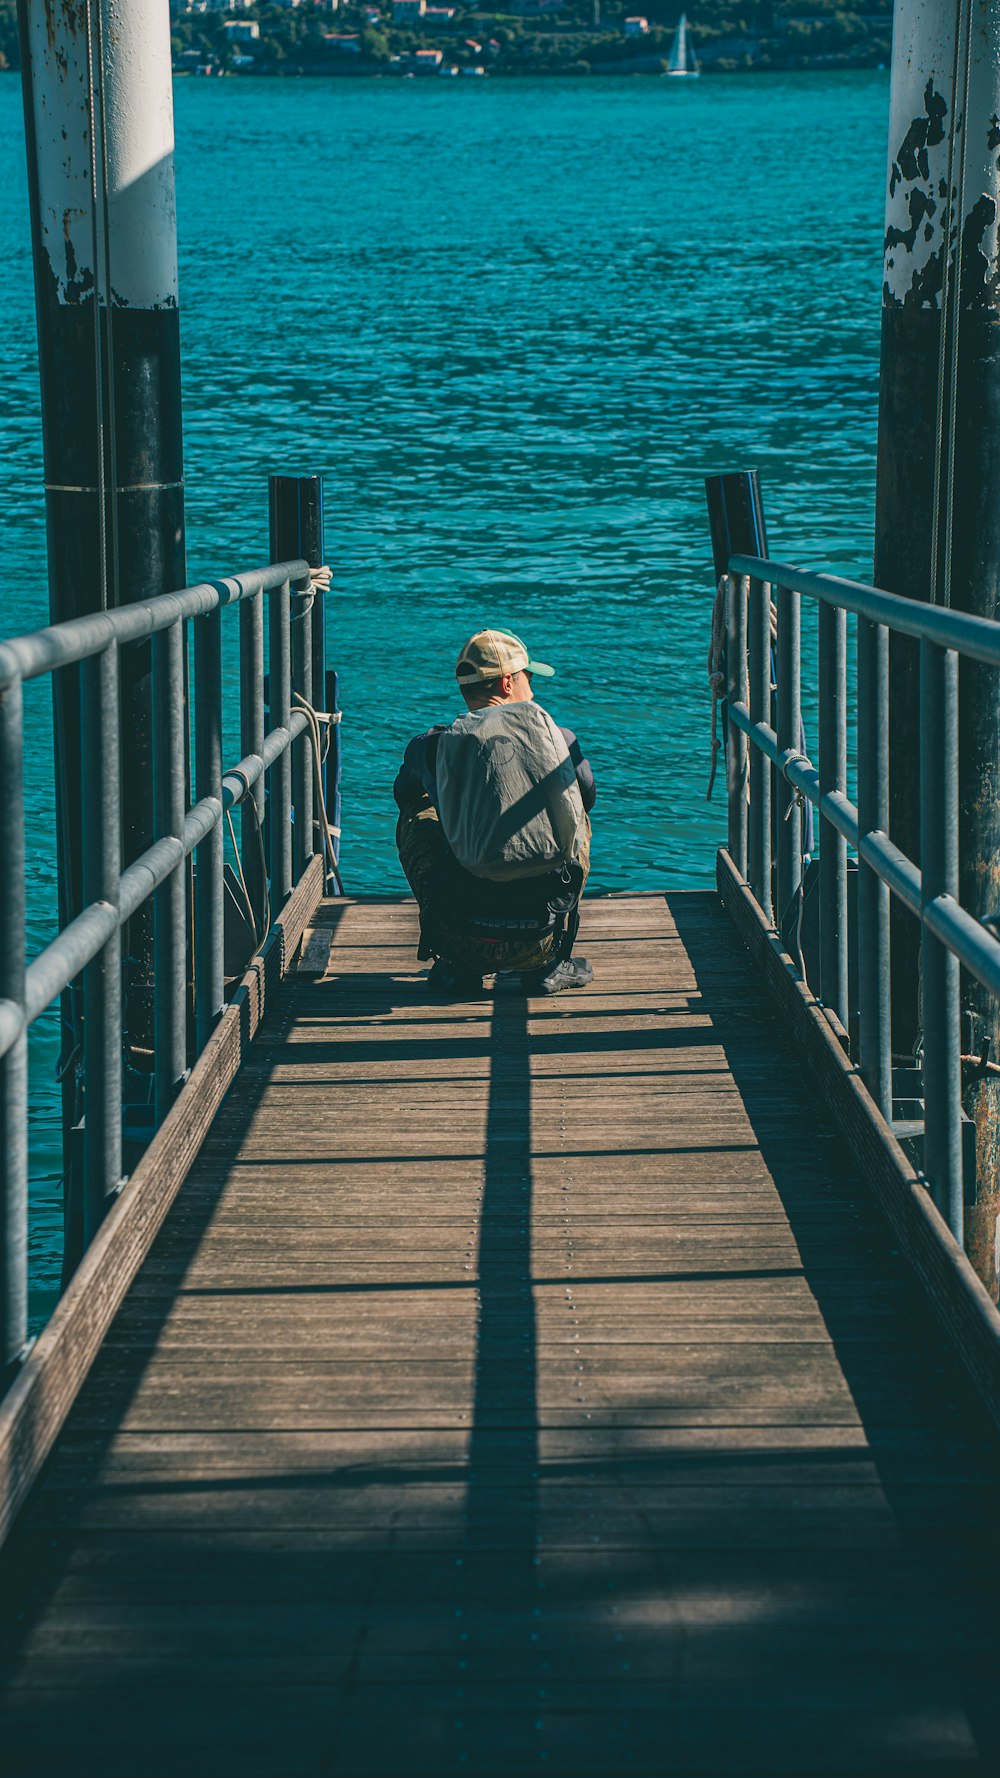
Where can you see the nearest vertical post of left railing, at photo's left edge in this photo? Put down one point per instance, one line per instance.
(13, 1062)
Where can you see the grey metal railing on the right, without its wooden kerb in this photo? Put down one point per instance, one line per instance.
(766, 758)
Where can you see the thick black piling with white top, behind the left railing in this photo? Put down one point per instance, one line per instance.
(99, 122)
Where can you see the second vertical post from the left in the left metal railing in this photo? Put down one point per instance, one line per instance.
(101, 767)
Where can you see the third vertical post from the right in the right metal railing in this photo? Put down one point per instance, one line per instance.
(834, 778)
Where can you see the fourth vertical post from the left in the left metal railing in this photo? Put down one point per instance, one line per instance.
(209, 975)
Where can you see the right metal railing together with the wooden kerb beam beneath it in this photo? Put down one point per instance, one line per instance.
(761, 877)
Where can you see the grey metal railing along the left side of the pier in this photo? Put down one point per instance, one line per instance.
(188, 949)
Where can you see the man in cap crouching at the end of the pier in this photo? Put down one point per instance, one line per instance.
(494, 831)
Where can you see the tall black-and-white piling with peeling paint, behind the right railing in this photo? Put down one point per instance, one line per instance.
(939, 472)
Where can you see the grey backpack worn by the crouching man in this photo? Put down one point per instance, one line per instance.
(508, 794)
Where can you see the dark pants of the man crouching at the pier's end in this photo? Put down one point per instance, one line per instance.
(448, 922)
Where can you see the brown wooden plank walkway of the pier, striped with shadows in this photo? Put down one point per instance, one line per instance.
(515, 1386)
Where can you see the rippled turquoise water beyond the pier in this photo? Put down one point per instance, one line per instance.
(513, 324)
